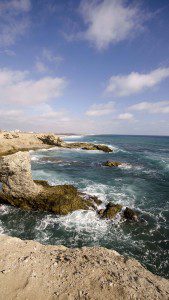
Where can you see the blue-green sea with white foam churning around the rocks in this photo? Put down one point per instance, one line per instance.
(142, 183)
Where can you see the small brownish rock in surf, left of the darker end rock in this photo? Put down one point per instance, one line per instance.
(110, 211)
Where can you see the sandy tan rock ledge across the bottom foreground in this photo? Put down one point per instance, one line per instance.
(35, 271)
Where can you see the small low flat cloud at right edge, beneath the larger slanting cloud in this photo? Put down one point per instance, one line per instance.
(152, 107)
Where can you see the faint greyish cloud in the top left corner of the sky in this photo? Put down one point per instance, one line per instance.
(13, 20)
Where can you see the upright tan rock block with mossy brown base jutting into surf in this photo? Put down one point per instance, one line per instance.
(19, 189)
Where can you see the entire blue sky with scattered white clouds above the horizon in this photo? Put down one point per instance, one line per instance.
(85, 66)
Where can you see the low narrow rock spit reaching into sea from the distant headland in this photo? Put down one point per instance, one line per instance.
(87, 146)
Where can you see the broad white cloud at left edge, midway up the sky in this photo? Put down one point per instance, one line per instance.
(17, 88)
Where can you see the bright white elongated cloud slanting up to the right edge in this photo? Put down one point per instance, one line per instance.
(135, 82)
